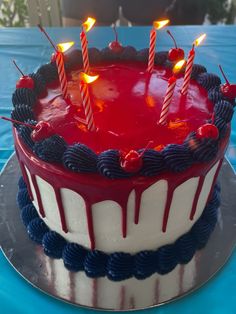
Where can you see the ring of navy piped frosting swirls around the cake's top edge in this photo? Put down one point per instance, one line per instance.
(80, 158)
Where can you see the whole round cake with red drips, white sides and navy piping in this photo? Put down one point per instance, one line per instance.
(132, 197)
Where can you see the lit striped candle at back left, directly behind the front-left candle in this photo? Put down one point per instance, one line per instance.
(86, 26)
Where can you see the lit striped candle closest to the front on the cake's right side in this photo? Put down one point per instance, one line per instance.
(170, 92)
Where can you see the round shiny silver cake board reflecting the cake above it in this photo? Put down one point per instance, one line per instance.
(50, 276)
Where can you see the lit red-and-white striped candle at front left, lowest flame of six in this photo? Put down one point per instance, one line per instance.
(84, 92)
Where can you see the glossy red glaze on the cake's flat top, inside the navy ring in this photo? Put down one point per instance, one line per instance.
(126, 103)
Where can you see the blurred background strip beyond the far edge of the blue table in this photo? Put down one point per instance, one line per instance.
(23, 13)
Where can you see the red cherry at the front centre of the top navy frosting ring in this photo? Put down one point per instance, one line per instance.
(132, 161)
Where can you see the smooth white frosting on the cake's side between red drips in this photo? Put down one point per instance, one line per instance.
(145, 235)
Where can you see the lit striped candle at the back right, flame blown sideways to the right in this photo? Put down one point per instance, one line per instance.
(152, 42)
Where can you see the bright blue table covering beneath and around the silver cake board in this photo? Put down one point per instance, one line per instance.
(30, 49)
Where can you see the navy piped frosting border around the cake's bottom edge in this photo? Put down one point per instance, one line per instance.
(119, 266)
